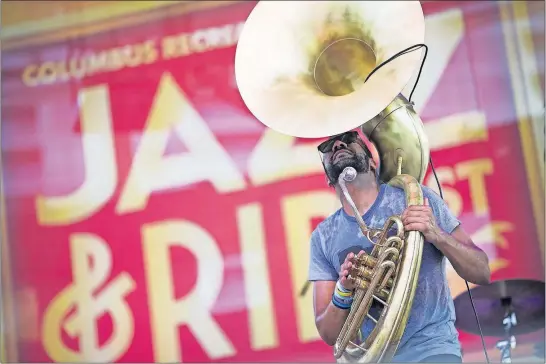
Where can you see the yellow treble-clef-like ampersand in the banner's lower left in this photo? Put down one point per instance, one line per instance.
(77, 308)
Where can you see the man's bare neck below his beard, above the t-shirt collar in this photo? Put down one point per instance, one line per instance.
(363, 190)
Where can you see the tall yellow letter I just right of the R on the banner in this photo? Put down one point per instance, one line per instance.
(261, 315)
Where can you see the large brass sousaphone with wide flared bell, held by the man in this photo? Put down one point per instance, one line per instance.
(313, 69)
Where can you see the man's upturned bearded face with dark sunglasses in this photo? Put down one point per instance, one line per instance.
(344, 150)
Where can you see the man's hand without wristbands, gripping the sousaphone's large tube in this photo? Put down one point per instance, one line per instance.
(421, 218)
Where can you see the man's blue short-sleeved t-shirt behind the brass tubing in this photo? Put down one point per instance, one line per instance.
(430, 329)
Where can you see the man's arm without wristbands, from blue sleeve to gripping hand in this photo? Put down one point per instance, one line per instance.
(469, 261)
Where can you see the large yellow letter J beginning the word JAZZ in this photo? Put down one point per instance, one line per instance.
(99, 160)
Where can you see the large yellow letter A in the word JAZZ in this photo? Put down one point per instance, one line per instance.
(206, 160)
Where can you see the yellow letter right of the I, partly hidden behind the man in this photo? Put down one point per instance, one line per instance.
(298, 210)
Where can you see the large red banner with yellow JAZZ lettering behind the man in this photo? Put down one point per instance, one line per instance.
(151, 217)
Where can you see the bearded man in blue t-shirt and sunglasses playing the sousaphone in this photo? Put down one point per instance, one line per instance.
(430, 334)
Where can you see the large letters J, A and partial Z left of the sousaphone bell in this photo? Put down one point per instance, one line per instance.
(151, 171)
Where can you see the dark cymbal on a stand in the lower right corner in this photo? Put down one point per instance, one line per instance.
(526, 298)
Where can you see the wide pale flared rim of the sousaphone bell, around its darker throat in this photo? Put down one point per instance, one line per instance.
(293, 107)
